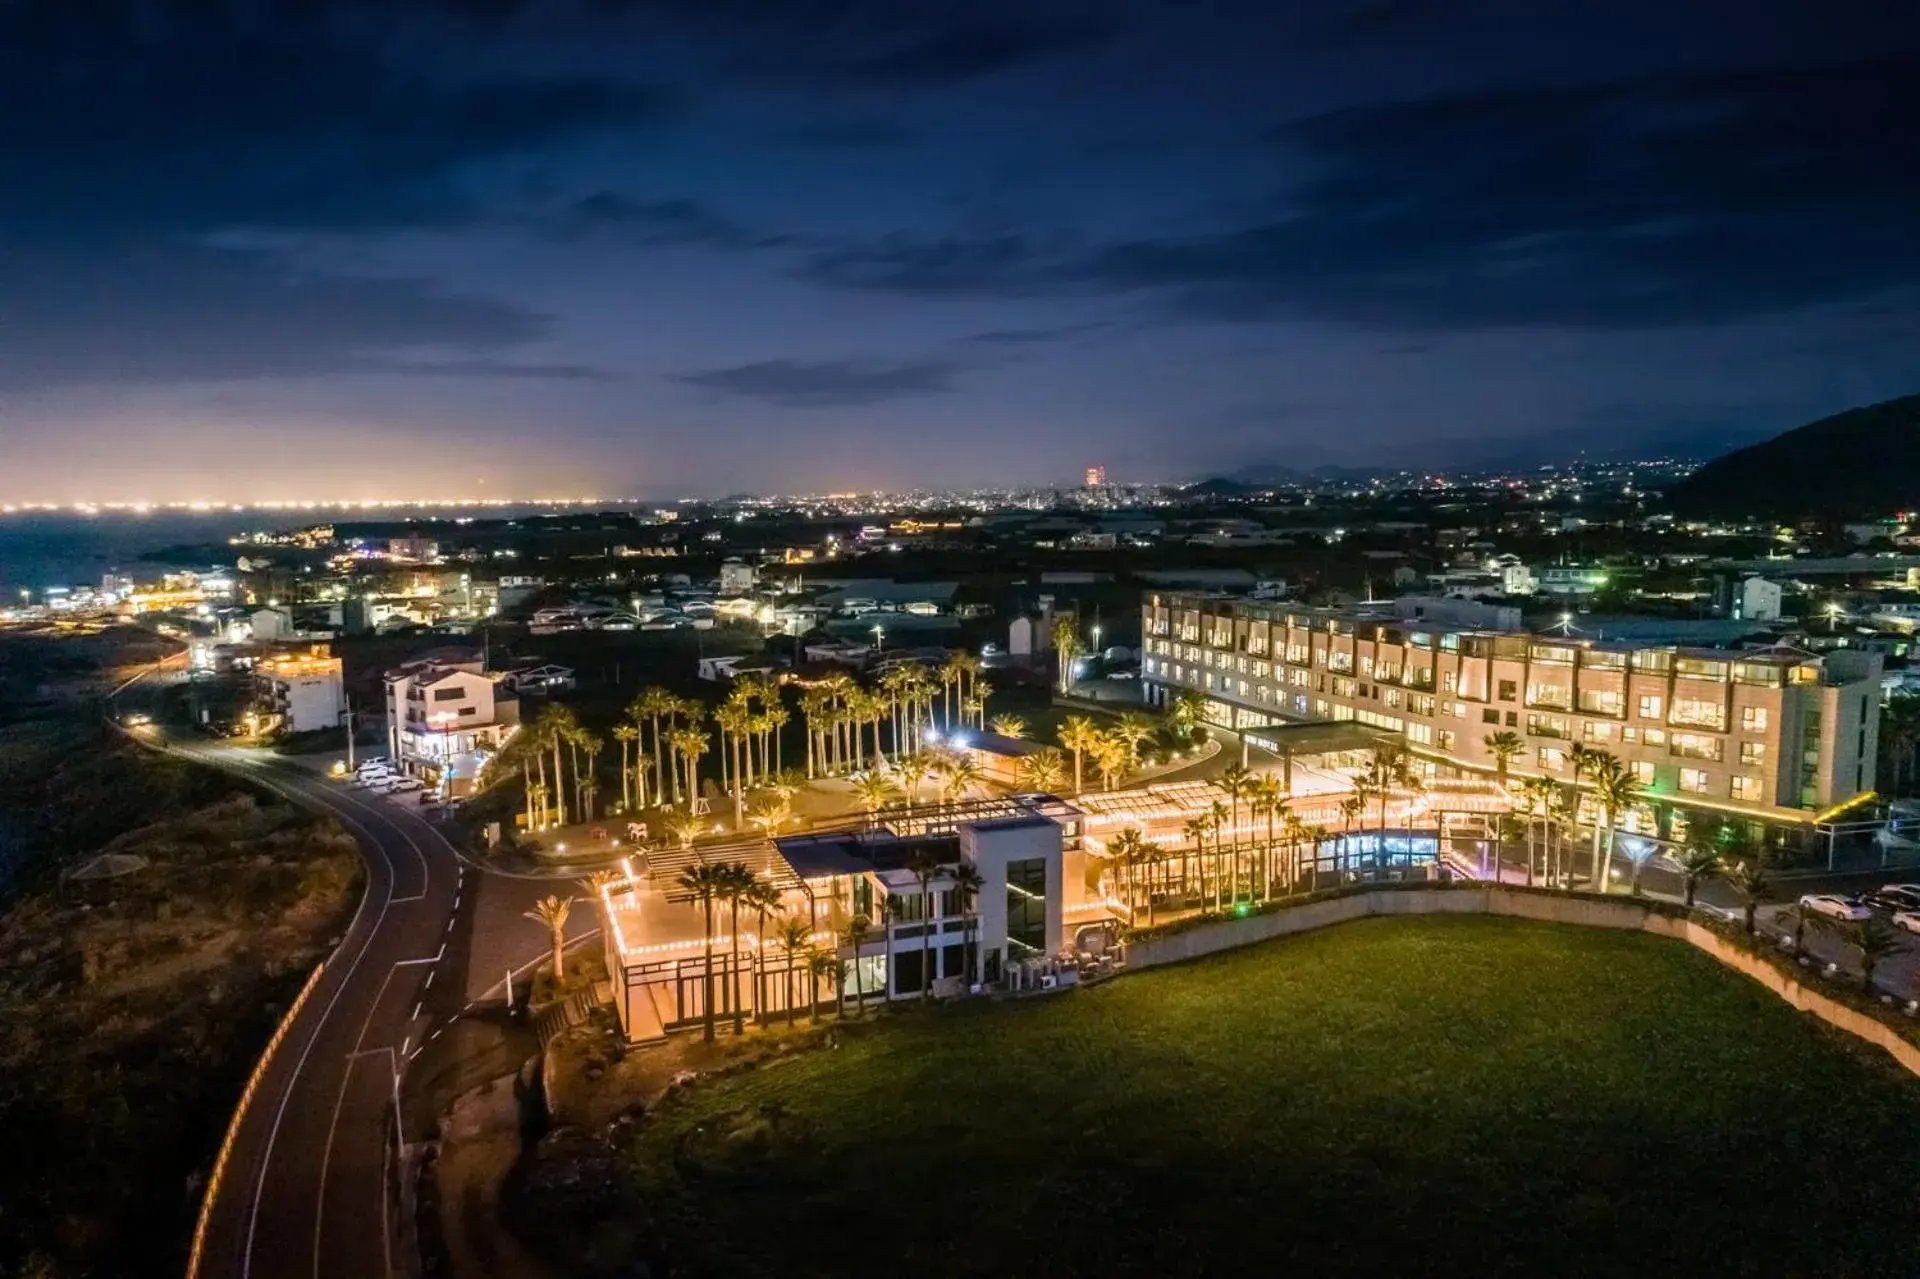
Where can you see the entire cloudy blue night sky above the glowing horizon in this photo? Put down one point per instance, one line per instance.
(663, 247)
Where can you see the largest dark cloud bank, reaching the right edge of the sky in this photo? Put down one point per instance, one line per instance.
(1669, 201)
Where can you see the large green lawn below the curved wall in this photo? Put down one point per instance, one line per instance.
(1385, 1098)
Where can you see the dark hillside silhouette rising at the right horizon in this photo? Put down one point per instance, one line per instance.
(1863, 462)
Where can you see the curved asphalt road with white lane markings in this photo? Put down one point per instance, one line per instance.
(312, 1186)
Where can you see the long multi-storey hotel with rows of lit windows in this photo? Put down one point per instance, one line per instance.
(1777, 736)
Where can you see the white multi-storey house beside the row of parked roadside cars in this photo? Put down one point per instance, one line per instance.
(446, 717)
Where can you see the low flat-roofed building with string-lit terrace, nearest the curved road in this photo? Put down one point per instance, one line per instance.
(986, 894)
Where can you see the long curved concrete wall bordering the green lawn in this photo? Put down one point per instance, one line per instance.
(1543, 907)
